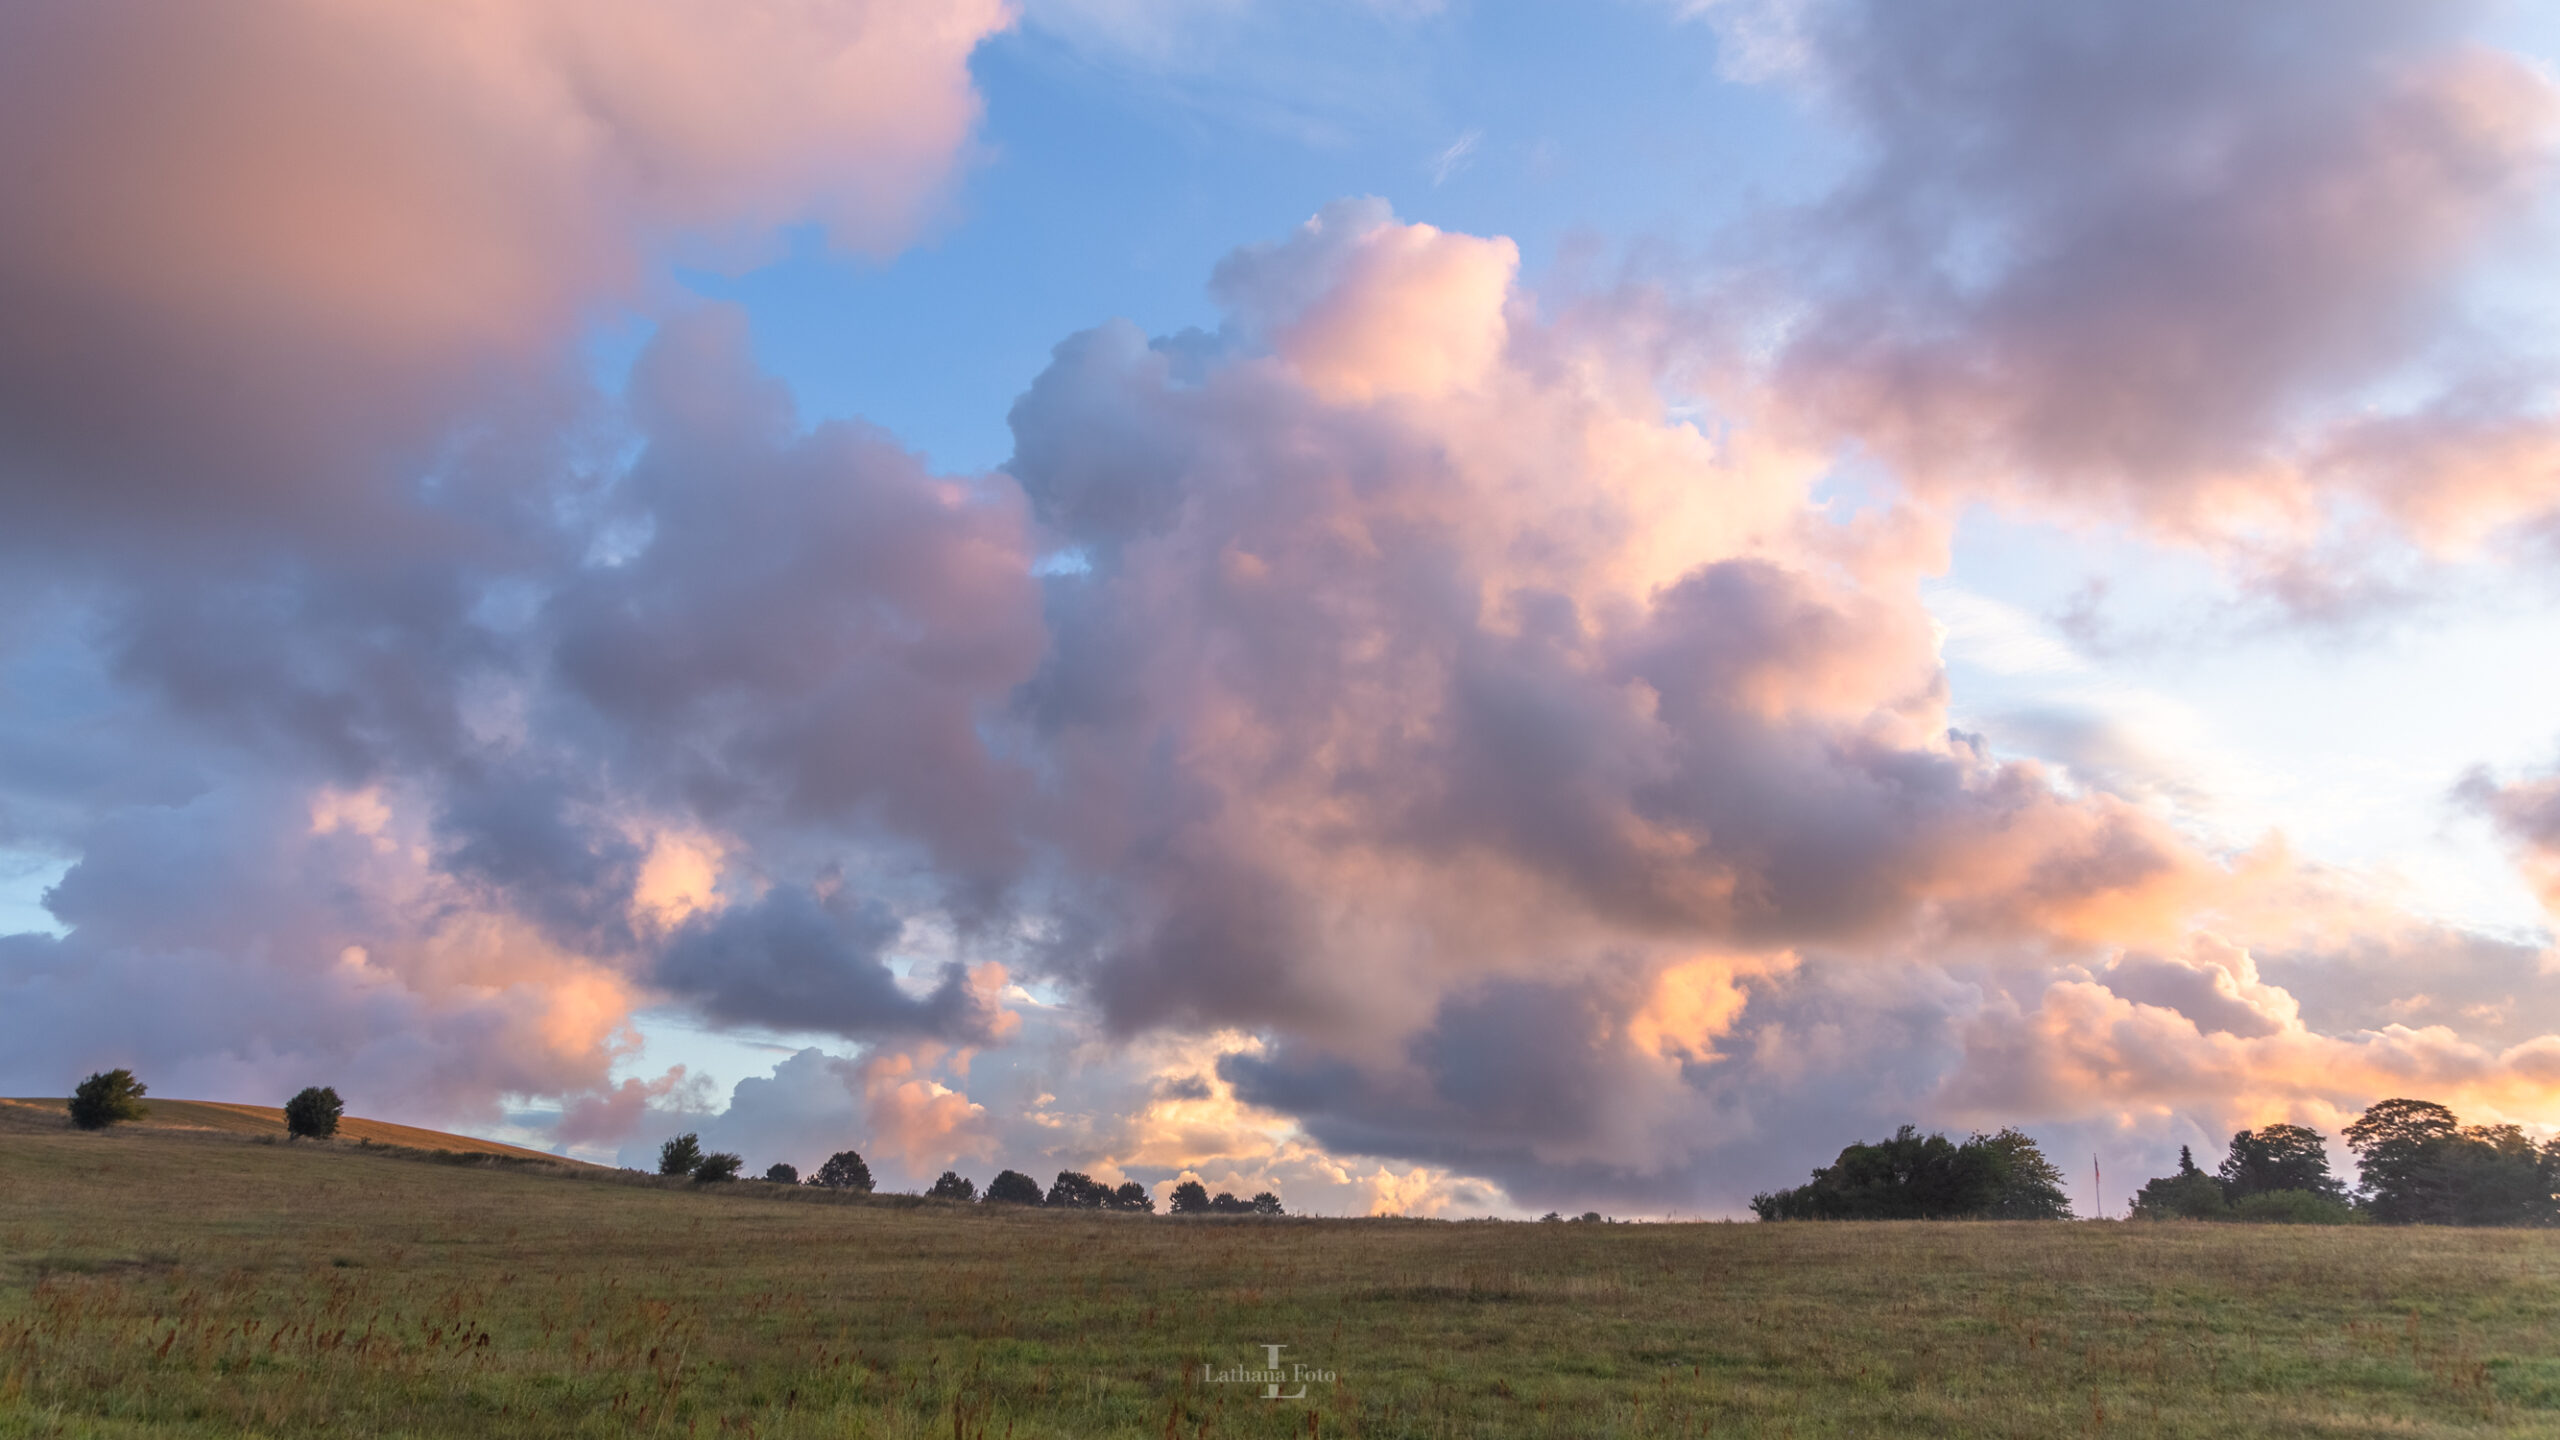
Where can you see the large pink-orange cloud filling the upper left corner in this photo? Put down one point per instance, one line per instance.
(260, 263)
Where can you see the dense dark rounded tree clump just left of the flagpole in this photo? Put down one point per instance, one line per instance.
(1929, 1177)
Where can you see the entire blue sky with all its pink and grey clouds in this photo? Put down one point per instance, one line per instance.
(1440, 609)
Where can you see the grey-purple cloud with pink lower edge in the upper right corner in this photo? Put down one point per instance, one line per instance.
(2164, 263)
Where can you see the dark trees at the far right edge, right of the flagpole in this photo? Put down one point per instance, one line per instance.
(2418, 1165)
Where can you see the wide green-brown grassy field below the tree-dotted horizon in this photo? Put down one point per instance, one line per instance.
(168, 1282)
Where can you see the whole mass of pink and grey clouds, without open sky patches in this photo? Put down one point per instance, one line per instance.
(1409, 762)
